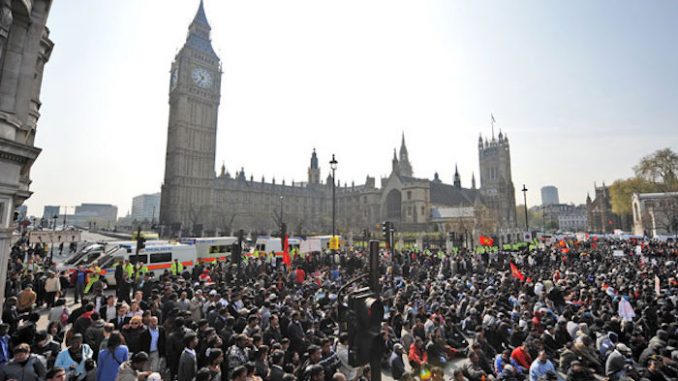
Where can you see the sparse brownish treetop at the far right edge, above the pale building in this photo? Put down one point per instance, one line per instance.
(661, 168)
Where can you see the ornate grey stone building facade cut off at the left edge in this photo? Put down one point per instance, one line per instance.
(25, 48)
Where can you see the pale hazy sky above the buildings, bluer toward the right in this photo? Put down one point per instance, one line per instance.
(584, 89)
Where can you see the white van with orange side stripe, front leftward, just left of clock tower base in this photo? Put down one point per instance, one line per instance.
(157, 258)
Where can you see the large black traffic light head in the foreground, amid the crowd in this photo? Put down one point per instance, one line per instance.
(364, 315)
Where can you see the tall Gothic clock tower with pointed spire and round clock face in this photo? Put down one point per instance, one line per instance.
(194, 93)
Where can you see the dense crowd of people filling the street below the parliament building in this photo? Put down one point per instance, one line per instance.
(533, 314)
